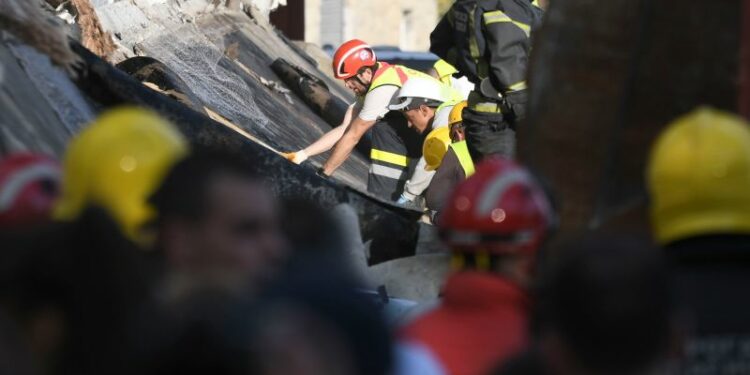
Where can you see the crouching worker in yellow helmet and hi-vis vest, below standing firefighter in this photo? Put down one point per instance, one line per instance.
(456, 165)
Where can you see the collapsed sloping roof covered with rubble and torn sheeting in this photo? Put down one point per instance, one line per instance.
(205, 66)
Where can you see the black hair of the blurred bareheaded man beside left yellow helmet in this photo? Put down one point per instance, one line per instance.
(185, 190)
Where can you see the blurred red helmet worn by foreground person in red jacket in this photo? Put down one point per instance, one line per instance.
(500, 209)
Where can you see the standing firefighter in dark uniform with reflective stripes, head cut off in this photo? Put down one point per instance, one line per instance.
(488, 42)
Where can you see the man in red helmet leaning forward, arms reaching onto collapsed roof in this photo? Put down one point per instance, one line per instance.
(395, 148)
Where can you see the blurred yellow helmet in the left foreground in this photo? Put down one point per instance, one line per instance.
(116, 164)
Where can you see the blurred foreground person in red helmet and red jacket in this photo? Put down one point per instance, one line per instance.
(494, 223)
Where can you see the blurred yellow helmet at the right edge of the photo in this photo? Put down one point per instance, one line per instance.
(699, 176)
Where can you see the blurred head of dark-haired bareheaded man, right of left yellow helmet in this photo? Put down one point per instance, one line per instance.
(217, 224)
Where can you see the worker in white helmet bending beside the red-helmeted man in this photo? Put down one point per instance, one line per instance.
(426, 104)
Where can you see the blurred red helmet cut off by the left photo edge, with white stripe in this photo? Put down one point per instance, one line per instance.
(29, 186)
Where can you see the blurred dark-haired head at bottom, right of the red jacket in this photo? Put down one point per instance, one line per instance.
(605, 306)
